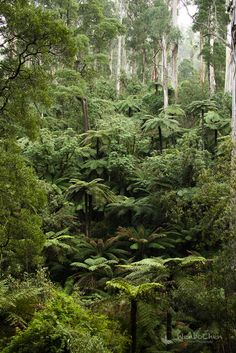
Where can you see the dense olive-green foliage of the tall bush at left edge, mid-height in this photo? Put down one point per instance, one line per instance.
(22, 199)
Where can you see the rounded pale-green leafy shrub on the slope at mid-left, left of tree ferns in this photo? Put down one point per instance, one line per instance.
(56, 155)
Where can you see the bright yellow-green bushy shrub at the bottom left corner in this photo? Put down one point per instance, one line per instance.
(65, 325)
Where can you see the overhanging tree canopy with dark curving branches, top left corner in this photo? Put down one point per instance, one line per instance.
(36, 35)
